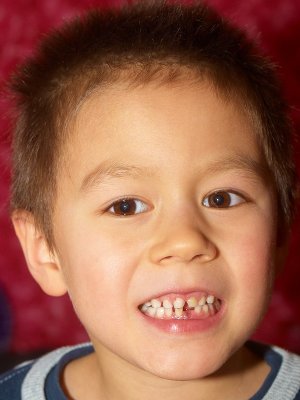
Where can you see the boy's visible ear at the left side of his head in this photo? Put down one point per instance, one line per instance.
(43, 264)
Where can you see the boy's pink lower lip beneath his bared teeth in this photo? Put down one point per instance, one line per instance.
(184, 326)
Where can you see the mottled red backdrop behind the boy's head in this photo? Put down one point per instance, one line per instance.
(41, 321)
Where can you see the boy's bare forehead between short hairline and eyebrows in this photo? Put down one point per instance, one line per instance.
(120, 124)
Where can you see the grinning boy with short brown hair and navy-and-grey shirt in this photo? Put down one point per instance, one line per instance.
(153, 182)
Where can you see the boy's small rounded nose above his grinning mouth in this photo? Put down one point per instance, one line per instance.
(182, 243)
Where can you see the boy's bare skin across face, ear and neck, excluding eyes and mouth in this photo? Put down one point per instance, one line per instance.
(110, 264)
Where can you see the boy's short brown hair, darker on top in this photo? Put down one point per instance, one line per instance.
(147, 38)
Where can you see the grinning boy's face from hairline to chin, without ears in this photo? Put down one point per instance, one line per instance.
(166, 150)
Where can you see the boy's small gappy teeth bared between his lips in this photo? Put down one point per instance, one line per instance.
(177, 307)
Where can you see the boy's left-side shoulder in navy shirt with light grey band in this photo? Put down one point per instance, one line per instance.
(32, 380)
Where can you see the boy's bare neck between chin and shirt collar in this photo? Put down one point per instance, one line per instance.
(103, 375)
